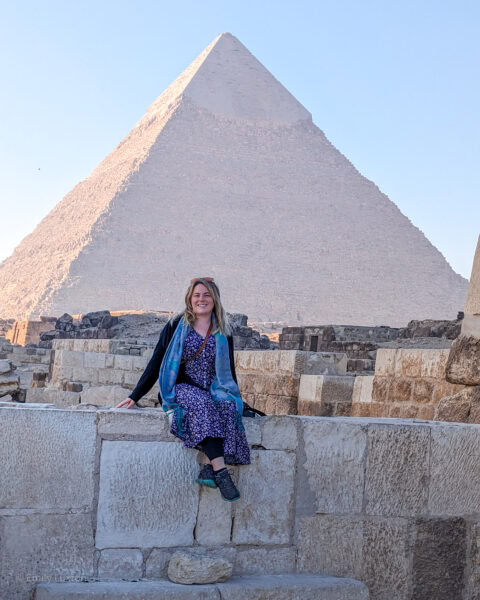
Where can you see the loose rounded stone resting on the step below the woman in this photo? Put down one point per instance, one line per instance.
(192, 567)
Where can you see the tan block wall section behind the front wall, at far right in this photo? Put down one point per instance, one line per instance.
(408, 383)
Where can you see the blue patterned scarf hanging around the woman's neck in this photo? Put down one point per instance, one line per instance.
(222, 389)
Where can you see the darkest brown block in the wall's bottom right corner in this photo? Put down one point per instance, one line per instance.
(439, 559)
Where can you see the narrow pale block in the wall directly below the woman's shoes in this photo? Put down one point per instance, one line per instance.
(214, 518)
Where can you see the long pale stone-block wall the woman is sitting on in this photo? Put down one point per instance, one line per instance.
(393, 503)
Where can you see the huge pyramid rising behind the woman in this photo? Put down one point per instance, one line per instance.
(226, 175)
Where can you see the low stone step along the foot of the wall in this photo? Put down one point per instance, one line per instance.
(252, 587)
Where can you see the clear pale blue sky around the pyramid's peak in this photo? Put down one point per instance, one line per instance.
(395, 86)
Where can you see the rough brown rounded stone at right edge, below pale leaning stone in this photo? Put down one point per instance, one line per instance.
(463, 364)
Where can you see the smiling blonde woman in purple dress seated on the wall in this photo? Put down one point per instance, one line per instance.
(194, 363)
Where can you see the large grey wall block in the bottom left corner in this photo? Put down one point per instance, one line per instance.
(43, 547)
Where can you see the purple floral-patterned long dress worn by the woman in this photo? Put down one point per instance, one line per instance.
(203, 416)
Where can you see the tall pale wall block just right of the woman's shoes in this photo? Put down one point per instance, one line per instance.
(262, 514)
